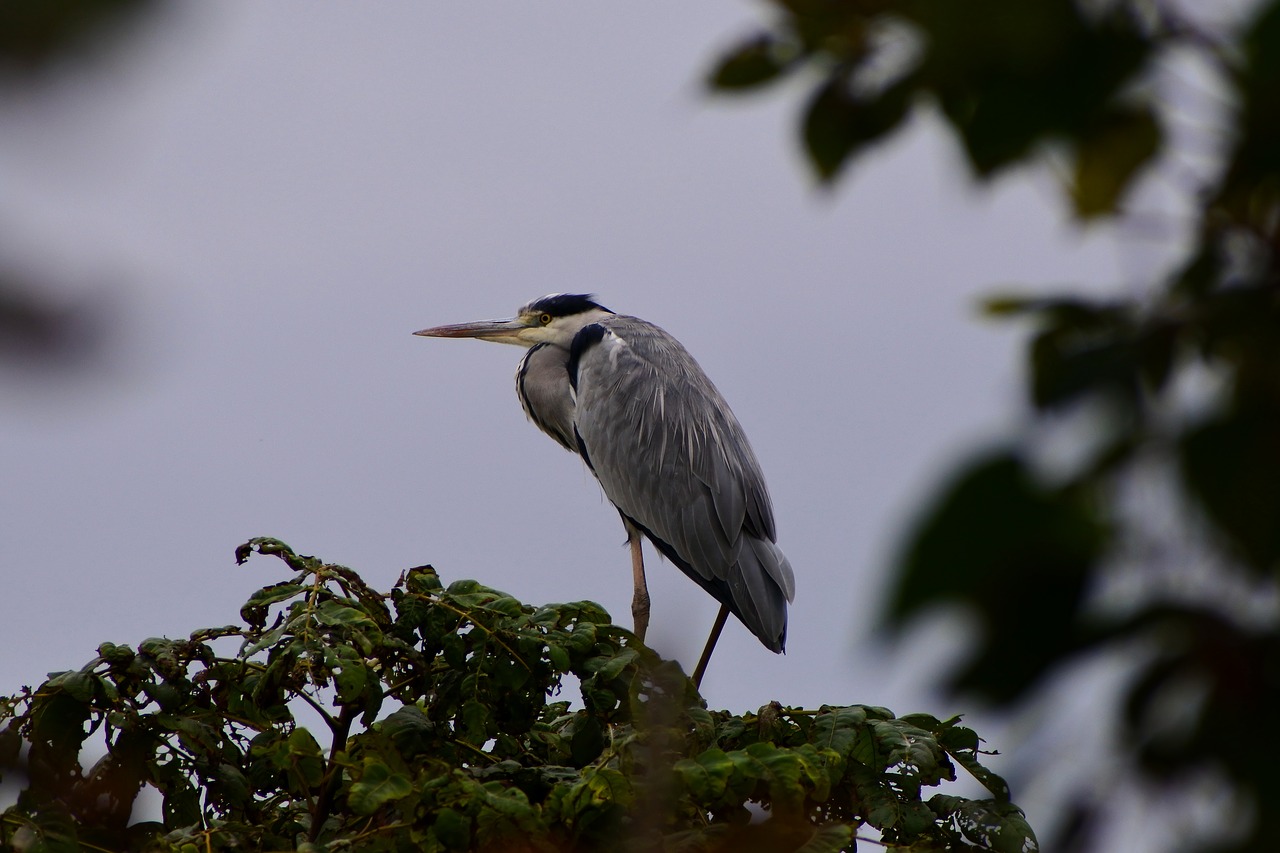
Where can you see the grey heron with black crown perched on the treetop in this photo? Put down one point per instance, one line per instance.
(665, 446)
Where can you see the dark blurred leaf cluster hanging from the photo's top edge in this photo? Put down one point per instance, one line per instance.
(1009, 77)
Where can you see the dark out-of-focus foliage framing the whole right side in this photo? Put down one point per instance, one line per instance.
(1030, 548)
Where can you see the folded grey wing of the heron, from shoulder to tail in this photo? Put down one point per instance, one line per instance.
(673, 458)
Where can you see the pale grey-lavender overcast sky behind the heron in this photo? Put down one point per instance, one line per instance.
(273, 197)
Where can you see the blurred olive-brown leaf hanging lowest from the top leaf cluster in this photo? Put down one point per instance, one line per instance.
(1109, 156)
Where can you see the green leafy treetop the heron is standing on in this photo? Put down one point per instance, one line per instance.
(444, 736)
